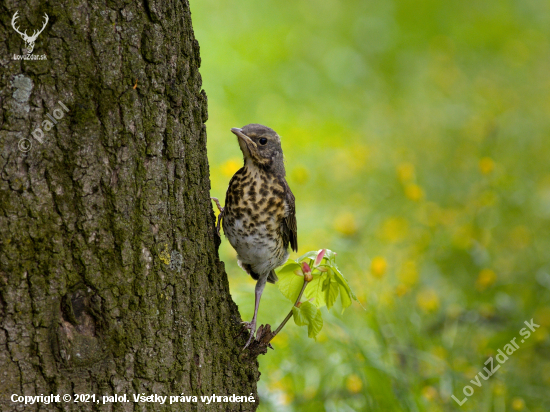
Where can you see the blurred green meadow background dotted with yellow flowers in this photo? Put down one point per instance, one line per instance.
(417, 144)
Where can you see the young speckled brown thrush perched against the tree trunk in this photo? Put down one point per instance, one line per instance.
(259, 216)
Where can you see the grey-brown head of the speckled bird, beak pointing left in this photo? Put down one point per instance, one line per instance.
(261, 146)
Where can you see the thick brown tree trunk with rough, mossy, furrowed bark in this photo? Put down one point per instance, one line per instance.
(110, 281)
